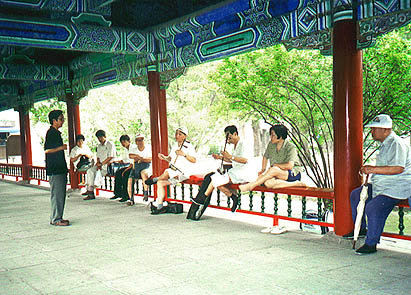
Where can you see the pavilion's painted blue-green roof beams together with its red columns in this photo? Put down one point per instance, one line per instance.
(62, 49)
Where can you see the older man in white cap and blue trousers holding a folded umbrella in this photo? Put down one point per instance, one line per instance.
(390, 182)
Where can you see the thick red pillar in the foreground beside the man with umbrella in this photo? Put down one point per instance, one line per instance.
(348, 118)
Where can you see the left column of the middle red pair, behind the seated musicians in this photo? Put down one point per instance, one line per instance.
(154, 98)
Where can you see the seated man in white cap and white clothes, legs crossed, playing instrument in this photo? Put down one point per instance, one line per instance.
(181, 159)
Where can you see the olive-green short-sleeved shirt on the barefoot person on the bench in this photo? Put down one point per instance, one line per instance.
(287, 153)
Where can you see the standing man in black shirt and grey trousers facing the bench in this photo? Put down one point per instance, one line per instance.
(56, 168)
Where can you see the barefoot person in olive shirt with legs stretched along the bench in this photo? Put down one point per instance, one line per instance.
(284, 163)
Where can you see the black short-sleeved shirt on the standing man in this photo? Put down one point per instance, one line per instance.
(55, 162)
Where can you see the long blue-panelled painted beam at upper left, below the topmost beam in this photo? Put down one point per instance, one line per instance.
(71, 36)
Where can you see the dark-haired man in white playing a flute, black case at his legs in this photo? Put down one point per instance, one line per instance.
(240, 172)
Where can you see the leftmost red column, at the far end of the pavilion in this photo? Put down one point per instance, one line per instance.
(25, 141)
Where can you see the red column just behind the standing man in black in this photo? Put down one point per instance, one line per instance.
(73, 125)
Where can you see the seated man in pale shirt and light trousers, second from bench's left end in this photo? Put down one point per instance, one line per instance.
(106, 151)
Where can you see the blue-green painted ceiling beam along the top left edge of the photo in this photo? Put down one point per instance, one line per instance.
(66, 6)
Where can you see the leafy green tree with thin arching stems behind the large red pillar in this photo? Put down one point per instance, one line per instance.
(295, 88)
